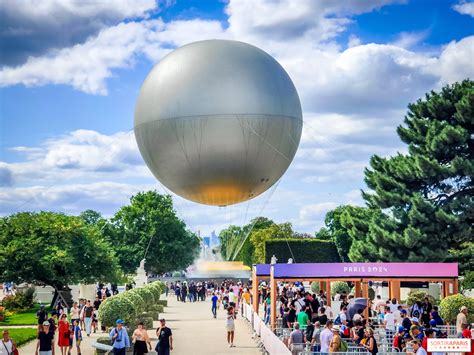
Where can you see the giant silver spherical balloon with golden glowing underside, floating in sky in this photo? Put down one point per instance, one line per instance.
(218, 122)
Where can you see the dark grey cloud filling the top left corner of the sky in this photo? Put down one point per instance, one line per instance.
(32, 28)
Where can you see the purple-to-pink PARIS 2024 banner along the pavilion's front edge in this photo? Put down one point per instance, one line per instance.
(322, 270)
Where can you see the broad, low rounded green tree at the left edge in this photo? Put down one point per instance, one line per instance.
(48, 248)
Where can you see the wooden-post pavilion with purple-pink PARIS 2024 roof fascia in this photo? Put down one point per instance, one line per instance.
(359, 273)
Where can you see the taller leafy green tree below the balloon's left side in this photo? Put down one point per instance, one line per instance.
(150, 223)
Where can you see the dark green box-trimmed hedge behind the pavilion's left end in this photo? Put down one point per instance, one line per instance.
(308, 250)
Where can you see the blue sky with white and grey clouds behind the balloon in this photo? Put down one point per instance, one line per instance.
(71, 70)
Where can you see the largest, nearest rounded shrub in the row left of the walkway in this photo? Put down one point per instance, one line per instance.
(117, 307)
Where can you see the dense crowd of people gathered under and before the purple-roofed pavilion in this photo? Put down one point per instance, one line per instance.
(308, 322)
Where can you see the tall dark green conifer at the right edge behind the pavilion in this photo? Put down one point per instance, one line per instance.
(422, 201)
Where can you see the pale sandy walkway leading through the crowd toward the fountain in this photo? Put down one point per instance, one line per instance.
(194, 332)
